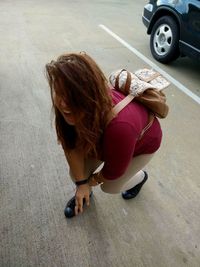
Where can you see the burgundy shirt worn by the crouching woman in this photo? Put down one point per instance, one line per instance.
(120, 140)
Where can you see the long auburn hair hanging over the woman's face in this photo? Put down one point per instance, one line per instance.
(78, 80)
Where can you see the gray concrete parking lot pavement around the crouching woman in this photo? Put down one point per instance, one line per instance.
(161, 226)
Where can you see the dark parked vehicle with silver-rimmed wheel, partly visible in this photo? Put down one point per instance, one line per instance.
(174, 27)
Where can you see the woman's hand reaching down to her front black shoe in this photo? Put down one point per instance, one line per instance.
(82, 191)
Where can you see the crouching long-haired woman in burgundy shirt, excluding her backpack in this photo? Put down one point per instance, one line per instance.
(91, 134)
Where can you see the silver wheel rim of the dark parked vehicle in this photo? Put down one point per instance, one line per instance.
(162, 40)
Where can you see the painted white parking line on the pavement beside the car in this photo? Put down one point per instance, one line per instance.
(153, 65)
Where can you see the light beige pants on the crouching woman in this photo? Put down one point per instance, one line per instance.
(130, 178)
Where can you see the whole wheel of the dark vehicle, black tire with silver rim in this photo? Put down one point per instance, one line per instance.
(164, 41)
